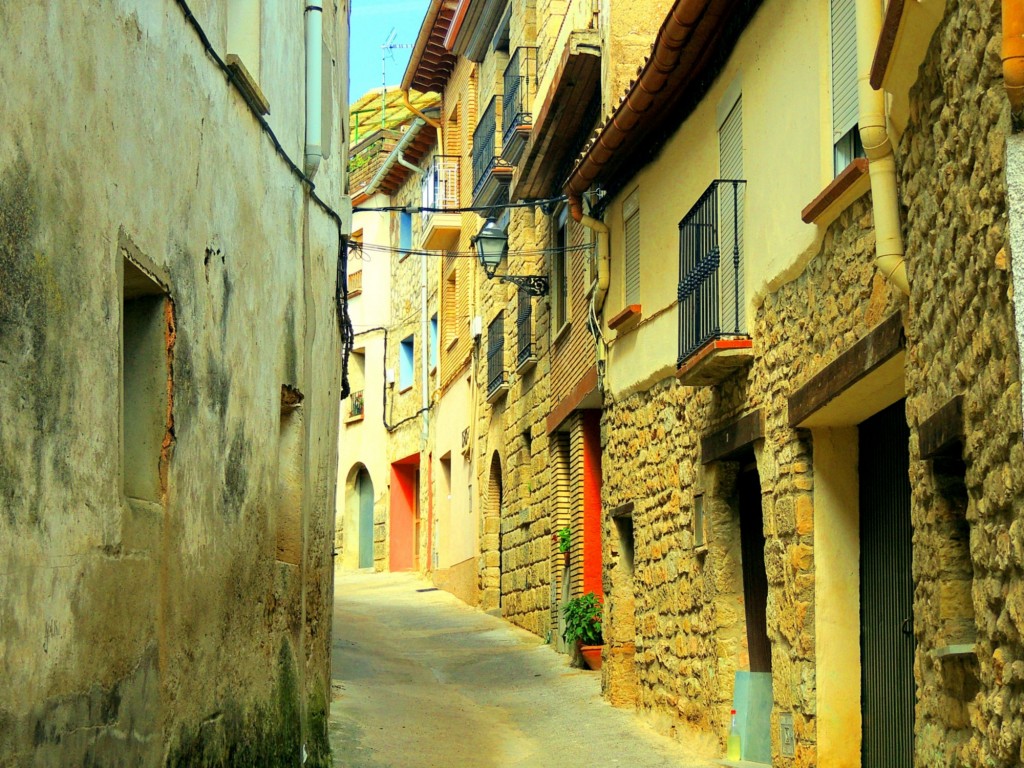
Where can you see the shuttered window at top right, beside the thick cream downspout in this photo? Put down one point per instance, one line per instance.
(846, 138)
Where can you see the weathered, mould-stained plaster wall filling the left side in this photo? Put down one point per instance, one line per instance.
(123, 137)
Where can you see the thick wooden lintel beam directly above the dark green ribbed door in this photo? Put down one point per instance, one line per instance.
(881, 344)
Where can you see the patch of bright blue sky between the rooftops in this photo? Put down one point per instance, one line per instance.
(372, 24)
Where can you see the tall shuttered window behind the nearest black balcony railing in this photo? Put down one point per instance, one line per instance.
(731, 148)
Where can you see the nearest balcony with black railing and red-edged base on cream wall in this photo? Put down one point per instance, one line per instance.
(713, 342)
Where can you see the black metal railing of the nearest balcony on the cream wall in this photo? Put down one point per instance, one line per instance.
(711, 274)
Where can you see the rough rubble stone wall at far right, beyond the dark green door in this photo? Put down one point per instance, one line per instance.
(961, 332)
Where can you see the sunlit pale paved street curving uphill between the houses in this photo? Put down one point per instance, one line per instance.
(424, 681)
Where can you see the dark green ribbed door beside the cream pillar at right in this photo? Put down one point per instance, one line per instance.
(887, 644)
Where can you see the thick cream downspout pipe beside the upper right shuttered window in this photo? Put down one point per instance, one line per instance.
(882, 165)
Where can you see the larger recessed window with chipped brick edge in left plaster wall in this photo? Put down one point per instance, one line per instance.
(145, 374)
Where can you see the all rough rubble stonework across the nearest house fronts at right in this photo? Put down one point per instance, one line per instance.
(680, 604)
